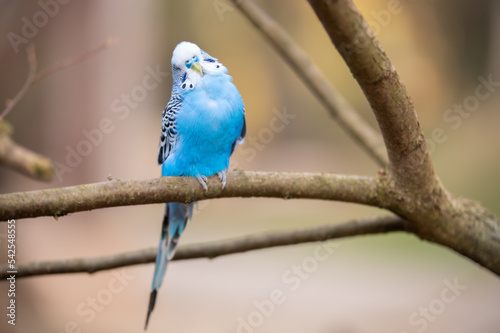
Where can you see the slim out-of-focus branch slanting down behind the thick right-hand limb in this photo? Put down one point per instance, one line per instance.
(310, 74)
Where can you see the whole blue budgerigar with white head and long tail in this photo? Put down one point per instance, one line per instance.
(202, 124)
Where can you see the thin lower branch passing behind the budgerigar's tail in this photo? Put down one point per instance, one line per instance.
(365, 226)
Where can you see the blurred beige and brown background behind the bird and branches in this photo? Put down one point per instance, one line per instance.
(384, 283)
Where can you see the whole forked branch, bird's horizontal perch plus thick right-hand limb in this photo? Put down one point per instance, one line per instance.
(410, 188)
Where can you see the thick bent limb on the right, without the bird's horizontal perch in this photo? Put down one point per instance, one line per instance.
(418, 195)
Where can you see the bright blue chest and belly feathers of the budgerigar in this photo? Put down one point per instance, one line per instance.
(208, 123)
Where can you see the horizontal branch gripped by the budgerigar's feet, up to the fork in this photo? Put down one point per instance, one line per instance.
(61, 201)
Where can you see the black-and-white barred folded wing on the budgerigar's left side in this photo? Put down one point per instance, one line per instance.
(168, 135)
